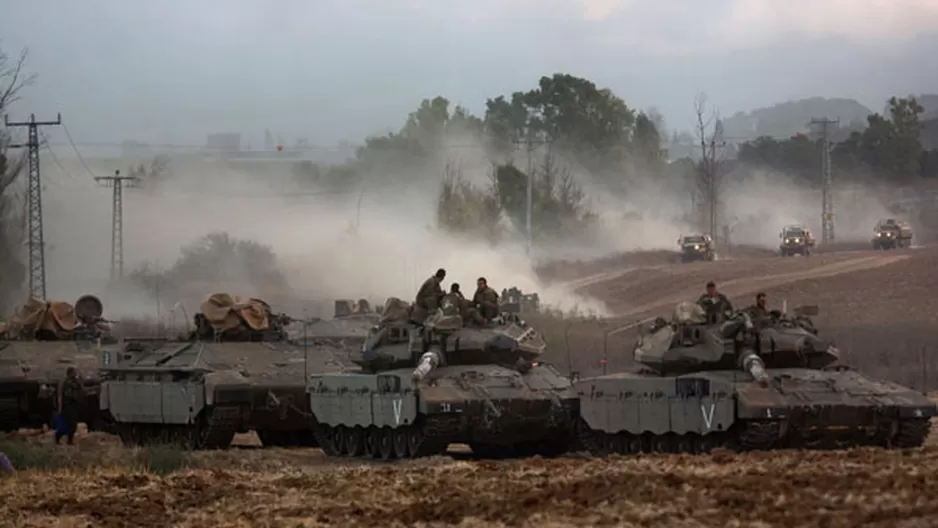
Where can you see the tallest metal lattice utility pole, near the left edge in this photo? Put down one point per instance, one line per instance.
(37, 248)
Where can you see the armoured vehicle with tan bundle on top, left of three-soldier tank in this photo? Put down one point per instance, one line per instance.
(239, 369)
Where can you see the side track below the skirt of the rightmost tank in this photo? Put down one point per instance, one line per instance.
(746, 436)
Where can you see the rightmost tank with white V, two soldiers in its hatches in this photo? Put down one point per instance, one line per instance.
(749, 383)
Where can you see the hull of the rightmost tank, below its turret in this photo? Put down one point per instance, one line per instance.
(799, 408)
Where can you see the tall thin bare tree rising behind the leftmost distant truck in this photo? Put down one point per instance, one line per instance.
(709, 131)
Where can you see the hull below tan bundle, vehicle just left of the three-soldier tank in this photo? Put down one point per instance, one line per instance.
(205, 393)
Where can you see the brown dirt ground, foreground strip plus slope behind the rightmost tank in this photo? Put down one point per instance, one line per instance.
(881, 308)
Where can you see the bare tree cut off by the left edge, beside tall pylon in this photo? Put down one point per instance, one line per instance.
(12, 207)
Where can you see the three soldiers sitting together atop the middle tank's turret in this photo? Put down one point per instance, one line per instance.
(431, 295)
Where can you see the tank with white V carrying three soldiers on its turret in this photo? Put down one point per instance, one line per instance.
(419, 388)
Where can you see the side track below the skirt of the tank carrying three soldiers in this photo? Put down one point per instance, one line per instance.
(378, 443)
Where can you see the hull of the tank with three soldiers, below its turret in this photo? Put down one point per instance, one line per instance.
(498, 411)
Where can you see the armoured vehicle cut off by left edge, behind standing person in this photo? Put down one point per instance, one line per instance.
(39, 342)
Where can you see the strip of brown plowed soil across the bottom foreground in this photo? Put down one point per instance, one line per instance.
(848, 489)
